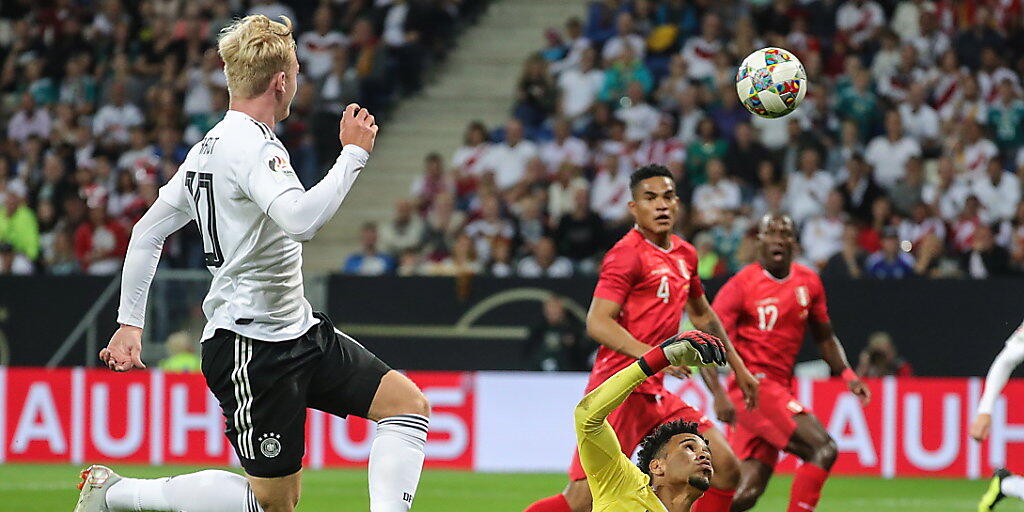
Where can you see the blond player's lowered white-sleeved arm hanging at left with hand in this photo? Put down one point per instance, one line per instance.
(124, 351)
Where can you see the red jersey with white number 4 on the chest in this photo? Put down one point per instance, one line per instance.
(653, 285)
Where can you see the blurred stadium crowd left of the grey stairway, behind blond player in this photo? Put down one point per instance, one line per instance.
(100, 102)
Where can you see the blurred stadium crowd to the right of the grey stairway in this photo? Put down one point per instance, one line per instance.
(905, 160)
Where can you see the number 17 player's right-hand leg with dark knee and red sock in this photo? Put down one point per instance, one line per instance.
(813, 444)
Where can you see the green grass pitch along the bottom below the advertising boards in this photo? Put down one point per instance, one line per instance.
(49, 489)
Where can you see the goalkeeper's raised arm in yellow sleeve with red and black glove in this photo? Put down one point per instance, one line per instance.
(601, 453)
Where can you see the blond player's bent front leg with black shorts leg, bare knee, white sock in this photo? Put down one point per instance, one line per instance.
(351, 380)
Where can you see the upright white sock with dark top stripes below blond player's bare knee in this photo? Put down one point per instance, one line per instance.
(396, 462)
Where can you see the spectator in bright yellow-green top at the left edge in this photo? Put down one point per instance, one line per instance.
(19, 233)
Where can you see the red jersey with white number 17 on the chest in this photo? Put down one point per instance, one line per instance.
(766, 318)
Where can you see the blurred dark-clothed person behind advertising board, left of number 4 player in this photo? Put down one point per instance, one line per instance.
(558, 344)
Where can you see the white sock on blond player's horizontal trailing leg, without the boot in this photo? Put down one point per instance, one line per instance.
(209, 491)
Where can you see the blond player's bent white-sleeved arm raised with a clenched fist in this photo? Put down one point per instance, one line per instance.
(302, 214)
